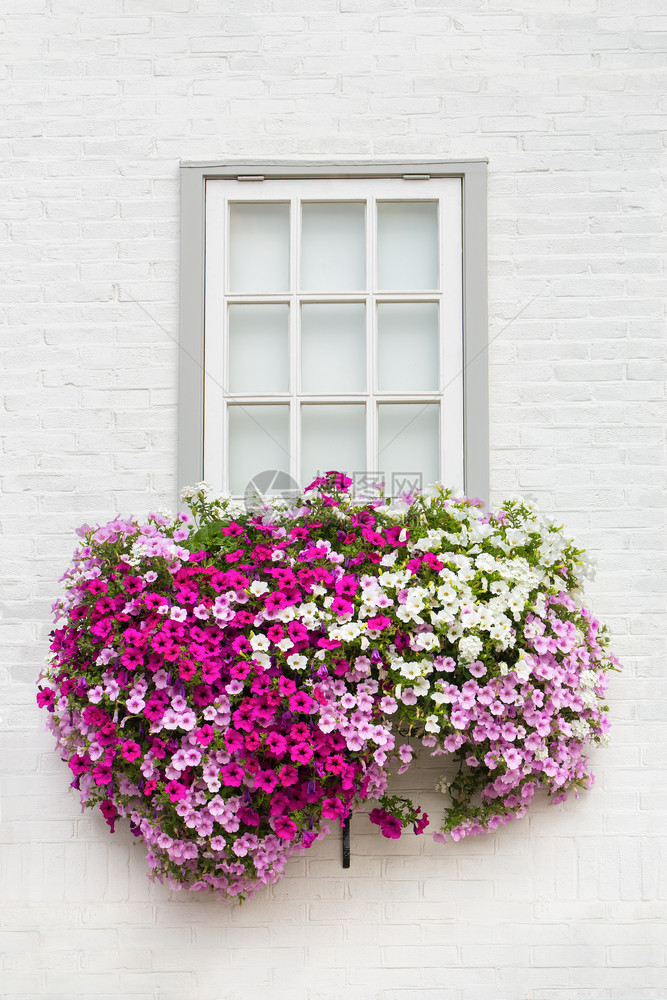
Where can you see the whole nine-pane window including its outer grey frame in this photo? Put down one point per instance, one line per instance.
(334, 318)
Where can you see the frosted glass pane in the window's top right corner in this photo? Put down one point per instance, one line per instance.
(407, 245)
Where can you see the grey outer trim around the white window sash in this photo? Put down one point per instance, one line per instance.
(191, 306)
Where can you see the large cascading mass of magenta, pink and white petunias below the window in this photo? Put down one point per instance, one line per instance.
(233, 682)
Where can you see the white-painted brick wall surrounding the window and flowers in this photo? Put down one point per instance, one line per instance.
(566, 99)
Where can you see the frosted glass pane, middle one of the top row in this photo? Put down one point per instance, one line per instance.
(333, 249)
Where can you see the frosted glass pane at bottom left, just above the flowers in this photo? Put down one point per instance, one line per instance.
(258, 440)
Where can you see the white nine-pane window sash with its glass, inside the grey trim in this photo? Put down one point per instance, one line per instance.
(359, 349)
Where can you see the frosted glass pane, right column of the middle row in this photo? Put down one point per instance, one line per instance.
(408, 357)
